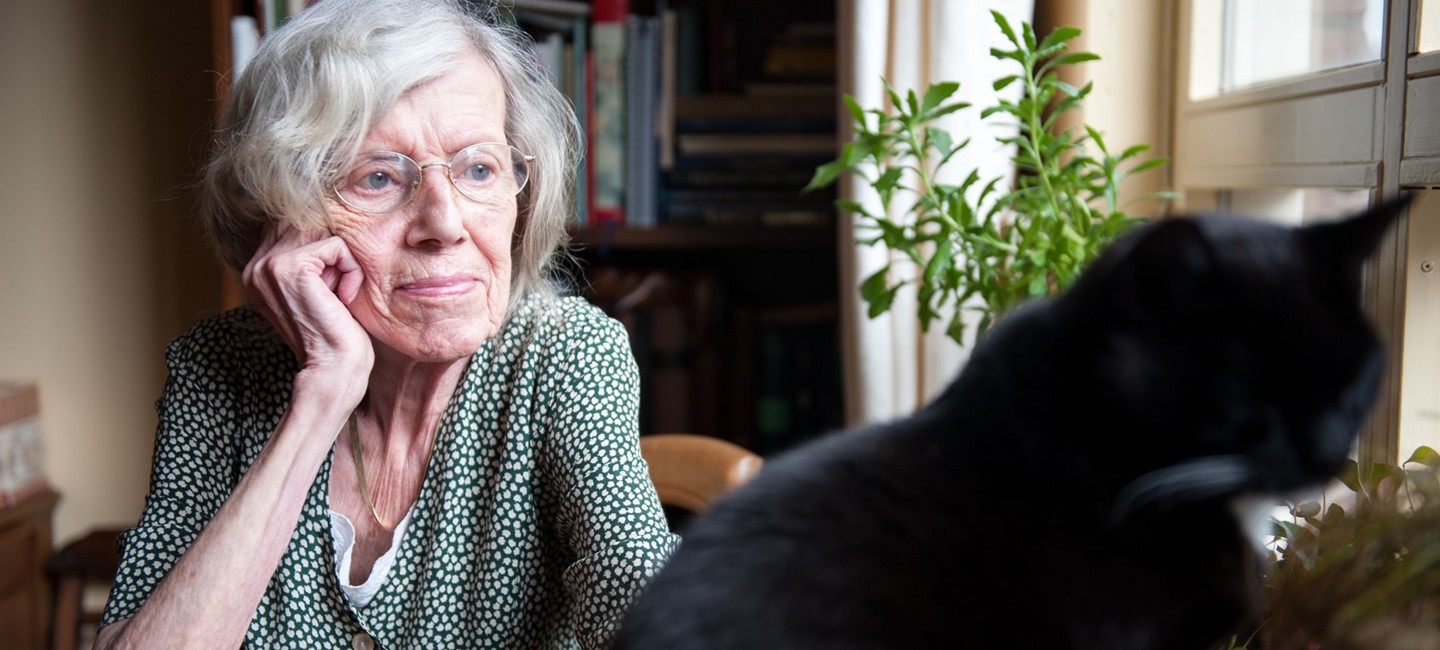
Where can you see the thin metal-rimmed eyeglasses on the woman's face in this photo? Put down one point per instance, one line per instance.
(387, 181)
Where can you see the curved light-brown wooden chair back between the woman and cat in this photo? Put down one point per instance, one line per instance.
(692, 472)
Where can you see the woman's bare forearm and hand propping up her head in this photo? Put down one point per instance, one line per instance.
(210, 597)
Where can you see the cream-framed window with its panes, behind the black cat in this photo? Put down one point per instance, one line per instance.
(1301, 110)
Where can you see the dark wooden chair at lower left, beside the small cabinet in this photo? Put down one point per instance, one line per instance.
(93, 558)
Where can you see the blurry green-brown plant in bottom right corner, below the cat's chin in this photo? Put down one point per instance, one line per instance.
(1359, 576)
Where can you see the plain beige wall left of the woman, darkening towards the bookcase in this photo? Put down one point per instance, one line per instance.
(103, 109)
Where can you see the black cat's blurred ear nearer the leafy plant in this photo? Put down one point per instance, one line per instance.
(1169, 266)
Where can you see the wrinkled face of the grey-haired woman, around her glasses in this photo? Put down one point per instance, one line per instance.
(437, 272)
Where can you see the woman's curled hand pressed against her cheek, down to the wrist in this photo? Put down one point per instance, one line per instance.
(303, 283)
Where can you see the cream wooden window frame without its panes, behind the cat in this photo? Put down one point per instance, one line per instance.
(1282, 135)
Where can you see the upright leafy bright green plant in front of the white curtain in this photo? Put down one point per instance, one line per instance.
(987, 244)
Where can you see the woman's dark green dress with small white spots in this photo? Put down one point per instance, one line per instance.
(536, 522)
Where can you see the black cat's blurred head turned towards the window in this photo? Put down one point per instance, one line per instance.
(1236, 355)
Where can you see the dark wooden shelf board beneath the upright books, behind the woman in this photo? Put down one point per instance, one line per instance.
(703, 239)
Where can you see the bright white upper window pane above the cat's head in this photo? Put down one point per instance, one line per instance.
(1242, 44)
